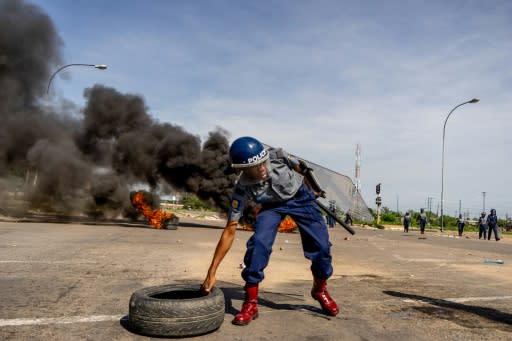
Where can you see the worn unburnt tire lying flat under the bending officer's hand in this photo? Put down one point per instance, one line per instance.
(176, 310)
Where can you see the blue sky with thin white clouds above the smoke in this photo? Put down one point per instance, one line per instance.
(316, 78)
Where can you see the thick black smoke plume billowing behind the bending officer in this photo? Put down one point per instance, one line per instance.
(71, 165)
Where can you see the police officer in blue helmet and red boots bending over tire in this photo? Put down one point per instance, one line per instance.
(271, 178)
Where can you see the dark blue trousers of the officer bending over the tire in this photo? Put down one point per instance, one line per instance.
(313, 232)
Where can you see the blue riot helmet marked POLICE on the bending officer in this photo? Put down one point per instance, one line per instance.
(247, 152)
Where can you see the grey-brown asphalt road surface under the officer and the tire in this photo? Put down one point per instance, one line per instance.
(74, 282)
